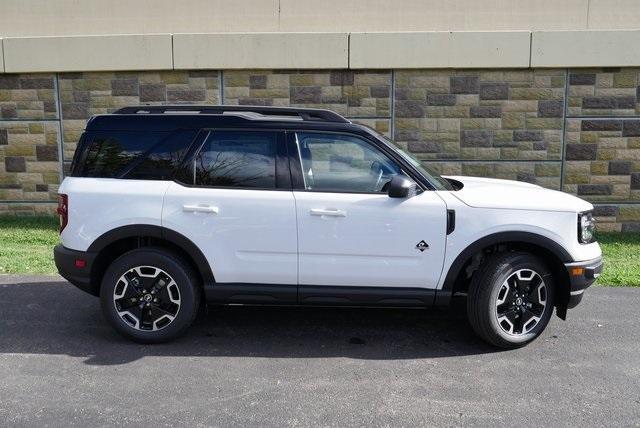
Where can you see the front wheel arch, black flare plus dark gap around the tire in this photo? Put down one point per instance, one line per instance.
(551, 252)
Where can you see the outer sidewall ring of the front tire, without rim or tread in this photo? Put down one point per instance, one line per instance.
(506, 270)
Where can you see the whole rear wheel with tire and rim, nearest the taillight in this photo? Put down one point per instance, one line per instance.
(150, 295)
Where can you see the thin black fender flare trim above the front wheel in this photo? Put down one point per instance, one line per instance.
(496, 238)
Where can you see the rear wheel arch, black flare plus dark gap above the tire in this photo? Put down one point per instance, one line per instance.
(116, 242)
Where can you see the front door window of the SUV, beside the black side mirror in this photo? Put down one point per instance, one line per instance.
(344, 163)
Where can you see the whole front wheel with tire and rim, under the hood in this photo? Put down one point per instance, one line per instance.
(500, 294)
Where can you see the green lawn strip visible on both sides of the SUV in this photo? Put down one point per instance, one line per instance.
(26, 245)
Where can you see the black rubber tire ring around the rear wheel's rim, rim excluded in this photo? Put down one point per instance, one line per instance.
(171, 264)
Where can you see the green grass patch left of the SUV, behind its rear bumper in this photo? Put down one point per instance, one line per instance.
(26, 244)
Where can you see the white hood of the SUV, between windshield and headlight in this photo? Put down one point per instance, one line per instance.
(507, 194)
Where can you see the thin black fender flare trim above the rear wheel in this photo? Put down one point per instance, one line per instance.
(147, 230)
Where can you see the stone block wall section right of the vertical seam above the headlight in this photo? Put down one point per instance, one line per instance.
(602, 154)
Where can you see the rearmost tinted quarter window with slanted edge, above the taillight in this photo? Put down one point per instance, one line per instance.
(109, 154)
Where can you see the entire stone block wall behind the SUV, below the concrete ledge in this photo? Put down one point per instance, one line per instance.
(572, 130)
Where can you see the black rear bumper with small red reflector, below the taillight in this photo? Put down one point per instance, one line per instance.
(75, 267)
